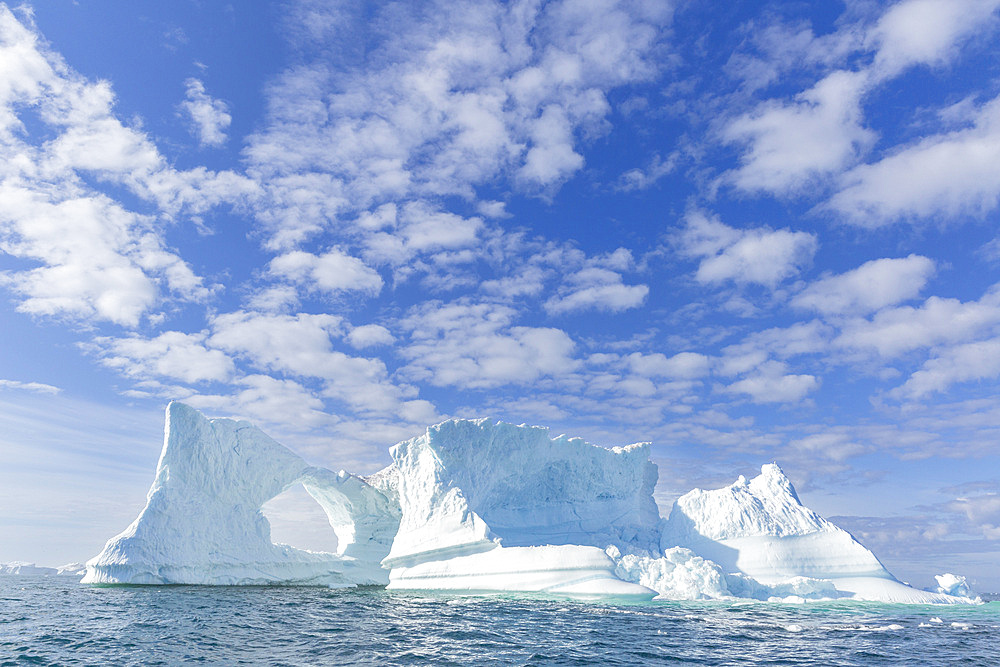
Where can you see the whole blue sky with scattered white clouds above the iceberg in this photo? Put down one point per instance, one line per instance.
(744, 232)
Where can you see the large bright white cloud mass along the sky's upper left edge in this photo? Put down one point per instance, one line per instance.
(99, 260)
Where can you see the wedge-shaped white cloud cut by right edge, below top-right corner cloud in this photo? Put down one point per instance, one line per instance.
(949, 174)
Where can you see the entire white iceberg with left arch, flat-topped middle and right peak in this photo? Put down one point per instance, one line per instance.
(477, 506)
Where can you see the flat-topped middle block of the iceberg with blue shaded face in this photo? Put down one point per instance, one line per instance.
(496, 507)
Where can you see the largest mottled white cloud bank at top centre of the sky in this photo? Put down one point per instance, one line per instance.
(456, 95)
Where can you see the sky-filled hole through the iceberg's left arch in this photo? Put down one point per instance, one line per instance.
(298, 520)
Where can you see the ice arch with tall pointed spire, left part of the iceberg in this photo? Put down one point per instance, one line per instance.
(202, 522)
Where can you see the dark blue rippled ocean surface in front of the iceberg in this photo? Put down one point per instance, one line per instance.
(56, 621)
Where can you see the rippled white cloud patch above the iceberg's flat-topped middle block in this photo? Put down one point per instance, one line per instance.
(474, 345)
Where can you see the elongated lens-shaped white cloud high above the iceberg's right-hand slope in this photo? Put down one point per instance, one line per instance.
(871, 286)
